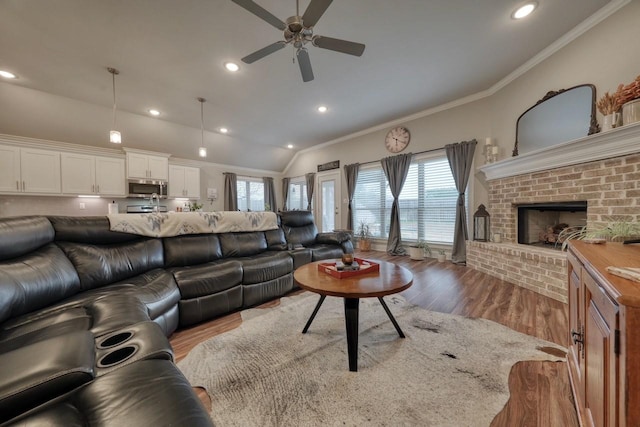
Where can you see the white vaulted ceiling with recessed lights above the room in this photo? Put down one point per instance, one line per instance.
(419, 54)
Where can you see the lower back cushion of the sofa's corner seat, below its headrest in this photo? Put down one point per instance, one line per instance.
(101, 265)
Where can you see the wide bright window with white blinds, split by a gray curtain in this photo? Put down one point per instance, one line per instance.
(427, 201)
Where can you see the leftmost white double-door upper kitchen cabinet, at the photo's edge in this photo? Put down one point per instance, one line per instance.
(29, 170)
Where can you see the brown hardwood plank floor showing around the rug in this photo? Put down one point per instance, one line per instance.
(540, 391)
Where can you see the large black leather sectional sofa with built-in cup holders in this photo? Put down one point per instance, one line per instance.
(85, 312)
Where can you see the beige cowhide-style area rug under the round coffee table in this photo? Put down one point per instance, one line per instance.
(448, 371)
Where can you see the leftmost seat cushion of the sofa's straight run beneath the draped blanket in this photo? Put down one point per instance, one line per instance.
(206, 279)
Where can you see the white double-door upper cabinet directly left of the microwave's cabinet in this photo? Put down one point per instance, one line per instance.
(86, 174)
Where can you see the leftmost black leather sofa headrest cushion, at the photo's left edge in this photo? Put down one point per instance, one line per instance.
(22, 235)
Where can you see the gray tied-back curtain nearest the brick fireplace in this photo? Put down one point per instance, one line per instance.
(460, 158)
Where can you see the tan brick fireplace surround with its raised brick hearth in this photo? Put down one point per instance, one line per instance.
(611, 188)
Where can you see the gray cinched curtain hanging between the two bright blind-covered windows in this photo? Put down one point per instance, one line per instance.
(396, 169)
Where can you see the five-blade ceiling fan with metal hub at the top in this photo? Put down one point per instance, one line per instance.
(298, 31)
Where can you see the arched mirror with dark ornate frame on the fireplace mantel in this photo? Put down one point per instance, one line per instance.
(560, 116)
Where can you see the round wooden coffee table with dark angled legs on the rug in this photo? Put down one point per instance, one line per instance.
(389, 280)
